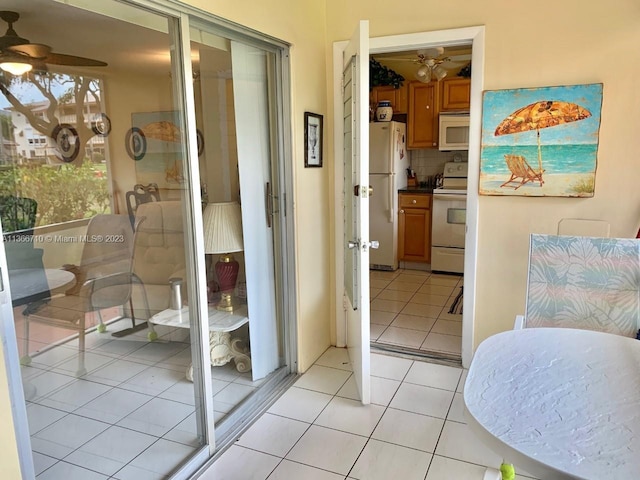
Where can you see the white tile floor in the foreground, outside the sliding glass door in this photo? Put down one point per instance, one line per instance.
(413, 429)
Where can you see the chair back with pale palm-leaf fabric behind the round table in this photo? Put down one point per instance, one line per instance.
(591, 283)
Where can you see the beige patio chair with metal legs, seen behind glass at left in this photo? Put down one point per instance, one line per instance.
(103, 280)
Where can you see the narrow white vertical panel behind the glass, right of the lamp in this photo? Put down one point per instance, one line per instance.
(251, 101)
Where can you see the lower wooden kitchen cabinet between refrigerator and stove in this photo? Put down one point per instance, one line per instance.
(414, 224)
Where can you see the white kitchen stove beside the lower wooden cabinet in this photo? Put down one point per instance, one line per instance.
(449, 217)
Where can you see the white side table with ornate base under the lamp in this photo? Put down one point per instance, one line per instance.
(222, 347)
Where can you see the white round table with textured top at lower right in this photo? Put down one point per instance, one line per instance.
(560, 403)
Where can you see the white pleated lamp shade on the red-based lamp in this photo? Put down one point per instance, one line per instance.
(222, 228)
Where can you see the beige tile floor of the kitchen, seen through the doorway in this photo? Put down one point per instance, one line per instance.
(409, 308)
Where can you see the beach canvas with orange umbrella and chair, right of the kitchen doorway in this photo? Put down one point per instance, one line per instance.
(540, 141)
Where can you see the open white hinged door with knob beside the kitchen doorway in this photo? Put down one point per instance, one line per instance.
(355, 95)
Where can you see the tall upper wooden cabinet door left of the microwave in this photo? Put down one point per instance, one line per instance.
(422, 122)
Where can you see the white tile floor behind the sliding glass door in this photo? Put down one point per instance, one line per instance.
(132, 416)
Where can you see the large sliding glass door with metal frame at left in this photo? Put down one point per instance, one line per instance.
(141, 202)
